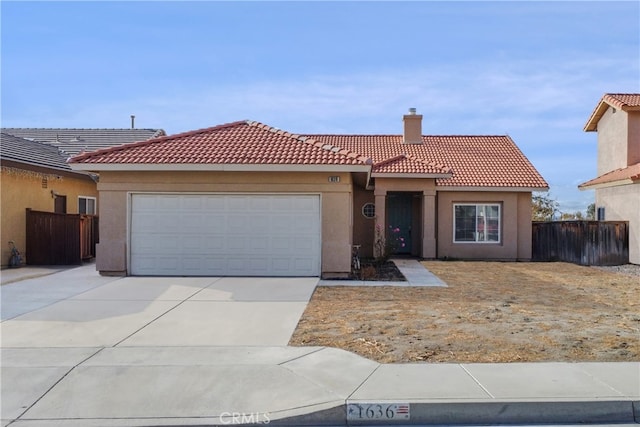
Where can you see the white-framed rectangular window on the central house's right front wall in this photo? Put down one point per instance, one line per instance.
(476, 223)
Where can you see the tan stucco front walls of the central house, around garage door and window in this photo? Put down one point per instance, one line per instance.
(343, 223)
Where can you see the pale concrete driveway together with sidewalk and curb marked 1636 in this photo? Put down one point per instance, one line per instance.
(84, 350)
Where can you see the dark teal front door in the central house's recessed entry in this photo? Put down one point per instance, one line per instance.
(399, 220)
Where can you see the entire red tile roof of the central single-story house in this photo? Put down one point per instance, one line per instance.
(473, 161)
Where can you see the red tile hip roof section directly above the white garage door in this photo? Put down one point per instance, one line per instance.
(243, 142)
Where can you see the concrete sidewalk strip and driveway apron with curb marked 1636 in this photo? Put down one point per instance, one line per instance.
(195, 386)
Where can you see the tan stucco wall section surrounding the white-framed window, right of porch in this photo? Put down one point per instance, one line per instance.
(516, 226)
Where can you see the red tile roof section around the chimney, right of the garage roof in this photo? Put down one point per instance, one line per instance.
(474, 161)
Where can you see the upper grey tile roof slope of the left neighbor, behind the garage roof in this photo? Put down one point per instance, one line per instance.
(75, 141)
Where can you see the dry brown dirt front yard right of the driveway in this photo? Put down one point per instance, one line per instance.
(490, 312)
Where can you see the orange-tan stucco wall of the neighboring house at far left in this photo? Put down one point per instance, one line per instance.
(35, 188)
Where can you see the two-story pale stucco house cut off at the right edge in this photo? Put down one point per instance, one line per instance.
(616, 118)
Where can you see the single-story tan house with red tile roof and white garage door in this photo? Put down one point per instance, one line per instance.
(247, 199)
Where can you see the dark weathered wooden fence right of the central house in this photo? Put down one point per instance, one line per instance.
(581, 242)
